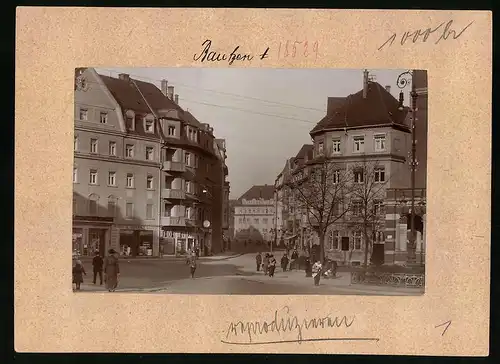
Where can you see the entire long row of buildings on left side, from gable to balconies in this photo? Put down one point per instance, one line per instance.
(162, 195)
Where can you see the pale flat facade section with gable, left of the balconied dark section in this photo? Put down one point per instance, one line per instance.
(116, 169)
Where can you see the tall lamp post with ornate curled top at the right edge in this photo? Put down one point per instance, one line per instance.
(403, 80)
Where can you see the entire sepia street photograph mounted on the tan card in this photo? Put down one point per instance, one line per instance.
(249, 181)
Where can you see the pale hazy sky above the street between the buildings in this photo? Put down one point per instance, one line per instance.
(264, 114)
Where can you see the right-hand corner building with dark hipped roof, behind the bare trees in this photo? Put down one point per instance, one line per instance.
(368, 127)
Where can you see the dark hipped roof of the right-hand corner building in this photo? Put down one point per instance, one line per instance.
(379, 107)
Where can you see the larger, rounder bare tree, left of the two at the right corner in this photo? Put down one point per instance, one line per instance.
(321, 194)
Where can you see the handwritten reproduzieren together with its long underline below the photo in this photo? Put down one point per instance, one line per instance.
(244, 333)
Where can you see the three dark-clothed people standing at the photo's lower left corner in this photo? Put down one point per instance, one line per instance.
(109, 265)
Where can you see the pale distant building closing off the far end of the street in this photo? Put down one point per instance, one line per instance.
(255, 215)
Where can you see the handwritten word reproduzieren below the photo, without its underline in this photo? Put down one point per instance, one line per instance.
(284, 322)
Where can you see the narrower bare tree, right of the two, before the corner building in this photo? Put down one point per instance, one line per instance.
(367, 195)
